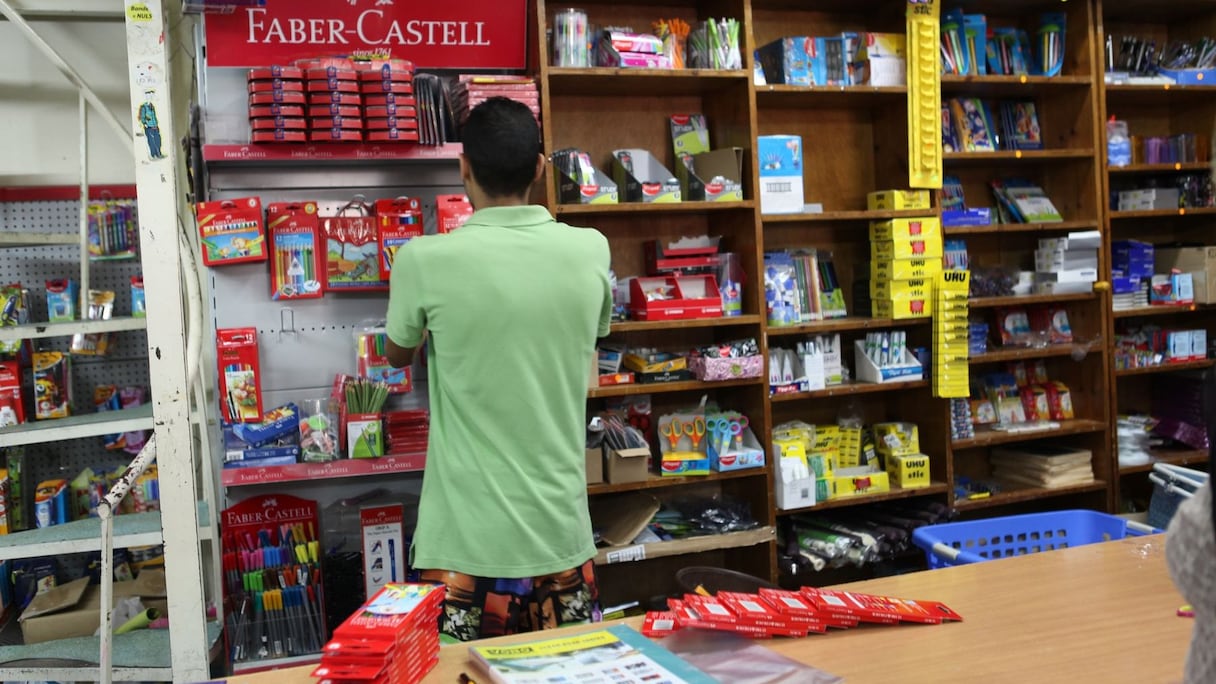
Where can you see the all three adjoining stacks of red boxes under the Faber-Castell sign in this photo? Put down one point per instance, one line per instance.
(334, 100)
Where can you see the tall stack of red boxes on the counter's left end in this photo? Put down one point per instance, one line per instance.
(393, 638)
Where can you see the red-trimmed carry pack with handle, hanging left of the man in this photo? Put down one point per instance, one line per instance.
(353, 250)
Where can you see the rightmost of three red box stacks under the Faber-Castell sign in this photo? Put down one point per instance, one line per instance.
(390, 105)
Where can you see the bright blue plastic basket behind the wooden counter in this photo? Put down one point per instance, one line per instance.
(978, 541)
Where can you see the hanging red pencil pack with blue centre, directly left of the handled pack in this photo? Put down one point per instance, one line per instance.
(296, 246)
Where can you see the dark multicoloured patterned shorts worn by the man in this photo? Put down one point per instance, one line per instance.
(480, 608)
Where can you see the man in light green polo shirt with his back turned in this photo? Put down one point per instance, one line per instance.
(511, 306)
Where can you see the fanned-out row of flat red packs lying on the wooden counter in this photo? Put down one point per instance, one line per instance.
(775, 613)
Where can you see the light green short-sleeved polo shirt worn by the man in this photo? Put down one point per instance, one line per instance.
(514, 302)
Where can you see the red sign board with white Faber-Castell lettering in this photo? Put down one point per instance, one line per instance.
(472, 35)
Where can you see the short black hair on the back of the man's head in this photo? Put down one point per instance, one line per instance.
(502, 143)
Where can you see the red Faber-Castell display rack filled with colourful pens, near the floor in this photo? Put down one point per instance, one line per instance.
(274, 601)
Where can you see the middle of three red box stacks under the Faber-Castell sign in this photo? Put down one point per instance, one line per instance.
(335, 106)
